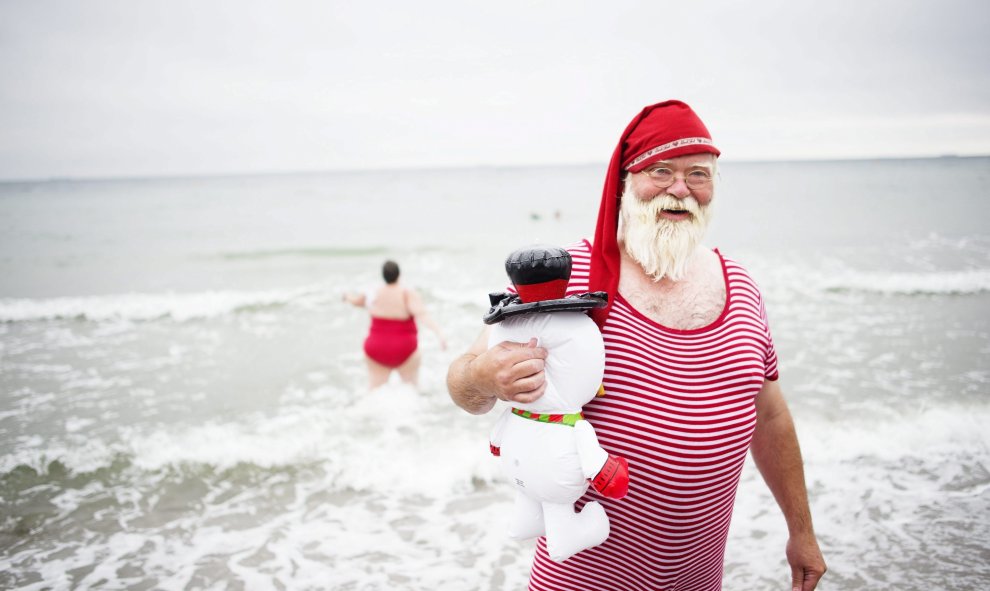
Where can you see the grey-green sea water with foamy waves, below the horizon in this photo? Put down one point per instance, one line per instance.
(183, 400)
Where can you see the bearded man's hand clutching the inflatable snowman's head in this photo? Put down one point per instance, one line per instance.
(514, 372)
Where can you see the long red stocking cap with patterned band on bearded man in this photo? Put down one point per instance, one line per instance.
(661, 131)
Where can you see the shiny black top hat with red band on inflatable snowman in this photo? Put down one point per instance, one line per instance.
(540, 274)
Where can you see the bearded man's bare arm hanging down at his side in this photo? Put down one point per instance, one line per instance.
(778, 457)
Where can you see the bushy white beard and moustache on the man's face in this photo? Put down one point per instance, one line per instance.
(662, 247)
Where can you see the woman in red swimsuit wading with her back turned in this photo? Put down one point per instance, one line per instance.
(392, 342)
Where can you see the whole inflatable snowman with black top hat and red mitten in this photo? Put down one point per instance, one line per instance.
(548, 451)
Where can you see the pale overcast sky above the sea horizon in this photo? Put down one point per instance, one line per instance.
(131, 88)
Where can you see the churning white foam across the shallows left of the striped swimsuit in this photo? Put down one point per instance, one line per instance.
(397, 499)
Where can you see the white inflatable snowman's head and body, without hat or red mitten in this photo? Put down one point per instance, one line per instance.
(549, 463)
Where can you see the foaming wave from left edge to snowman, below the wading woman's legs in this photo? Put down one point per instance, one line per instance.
(393, 429)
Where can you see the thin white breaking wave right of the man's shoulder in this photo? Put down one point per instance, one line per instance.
(929, 283)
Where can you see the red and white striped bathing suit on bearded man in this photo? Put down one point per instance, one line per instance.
(679, 405)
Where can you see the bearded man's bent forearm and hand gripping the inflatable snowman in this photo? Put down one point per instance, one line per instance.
(508, 371)
